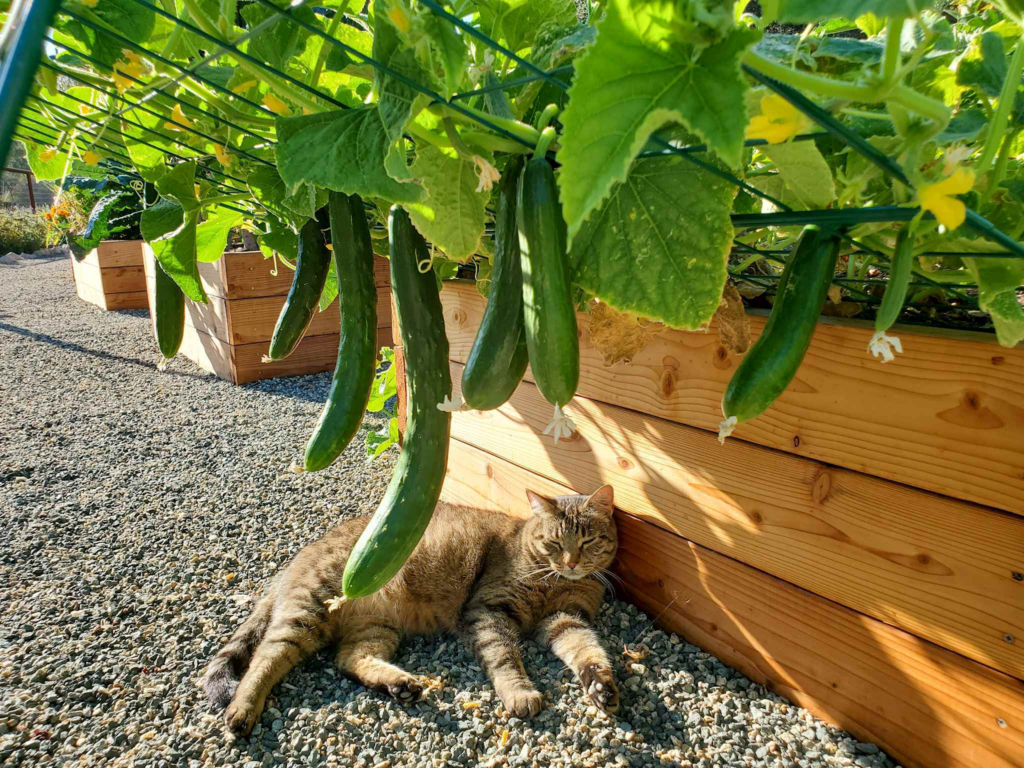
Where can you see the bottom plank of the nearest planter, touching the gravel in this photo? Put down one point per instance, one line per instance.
(924, 705)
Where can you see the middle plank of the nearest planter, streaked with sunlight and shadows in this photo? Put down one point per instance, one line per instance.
(941, 569)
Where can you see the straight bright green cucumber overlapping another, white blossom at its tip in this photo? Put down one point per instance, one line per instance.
(547, 303)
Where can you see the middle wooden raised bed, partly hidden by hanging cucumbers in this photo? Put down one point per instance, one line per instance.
(231, 334)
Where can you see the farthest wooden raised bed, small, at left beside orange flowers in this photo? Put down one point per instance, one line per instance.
(112, 276)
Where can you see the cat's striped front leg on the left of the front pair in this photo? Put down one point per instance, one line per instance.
(495, 638)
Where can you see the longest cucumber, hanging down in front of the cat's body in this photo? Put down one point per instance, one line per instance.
(405, 513)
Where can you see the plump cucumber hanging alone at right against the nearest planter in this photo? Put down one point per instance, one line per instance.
(771, 365)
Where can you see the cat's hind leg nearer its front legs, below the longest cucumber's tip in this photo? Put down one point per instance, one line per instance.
(368, 645)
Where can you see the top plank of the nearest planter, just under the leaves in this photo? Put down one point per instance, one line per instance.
(946, 416)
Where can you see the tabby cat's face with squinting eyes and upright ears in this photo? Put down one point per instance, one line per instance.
(575, 536)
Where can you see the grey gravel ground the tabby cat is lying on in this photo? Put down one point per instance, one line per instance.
(140, 515)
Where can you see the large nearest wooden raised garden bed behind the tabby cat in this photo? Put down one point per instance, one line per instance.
(860, 548)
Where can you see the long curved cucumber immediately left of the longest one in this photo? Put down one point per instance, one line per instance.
(354, 374)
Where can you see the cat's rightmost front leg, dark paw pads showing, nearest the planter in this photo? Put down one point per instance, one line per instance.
(574, 642)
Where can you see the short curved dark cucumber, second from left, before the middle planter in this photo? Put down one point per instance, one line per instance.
(312, 267)
